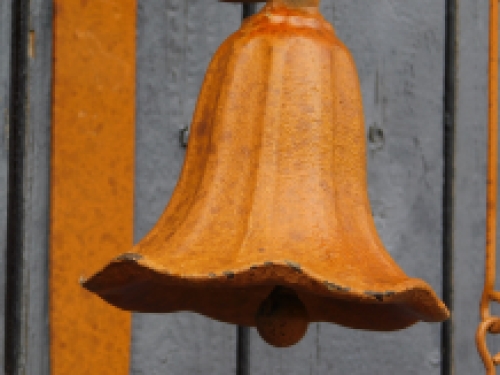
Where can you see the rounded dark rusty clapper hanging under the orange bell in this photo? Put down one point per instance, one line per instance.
(282, 319)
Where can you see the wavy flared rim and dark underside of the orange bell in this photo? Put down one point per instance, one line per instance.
(136, 283)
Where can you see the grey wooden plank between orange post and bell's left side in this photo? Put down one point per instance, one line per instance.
(176, 39)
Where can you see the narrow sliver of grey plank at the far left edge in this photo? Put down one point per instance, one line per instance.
(5, 34)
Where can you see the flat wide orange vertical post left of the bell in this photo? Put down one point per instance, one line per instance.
(92, 179)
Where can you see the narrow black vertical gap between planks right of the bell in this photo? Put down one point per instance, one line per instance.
(448, 202)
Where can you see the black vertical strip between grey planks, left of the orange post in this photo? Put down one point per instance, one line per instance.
(15, 270)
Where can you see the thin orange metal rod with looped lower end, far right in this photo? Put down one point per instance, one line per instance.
(490, 323)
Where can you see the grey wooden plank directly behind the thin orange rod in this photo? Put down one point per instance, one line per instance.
(470, 182)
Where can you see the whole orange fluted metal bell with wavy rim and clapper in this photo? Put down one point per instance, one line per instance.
(270, 223)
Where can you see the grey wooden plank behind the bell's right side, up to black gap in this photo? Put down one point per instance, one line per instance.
(398, 48)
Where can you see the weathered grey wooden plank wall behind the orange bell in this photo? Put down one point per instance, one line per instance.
(400, 50)
